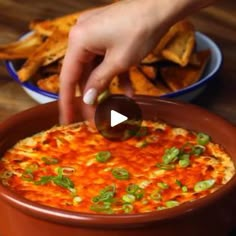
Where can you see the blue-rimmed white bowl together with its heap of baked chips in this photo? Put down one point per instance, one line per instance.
(179, 67)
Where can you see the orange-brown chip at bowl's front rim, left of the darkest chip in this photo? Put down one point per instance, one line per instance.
(142, 86)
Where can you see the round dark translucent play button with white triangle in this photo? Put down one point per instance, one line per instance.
(118, 118)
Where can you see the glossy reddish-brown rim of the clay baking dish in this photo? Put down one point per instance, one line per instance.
(117, 220)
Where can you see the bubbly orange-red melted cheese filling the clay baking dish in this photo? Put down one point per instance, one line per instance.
(67, 154)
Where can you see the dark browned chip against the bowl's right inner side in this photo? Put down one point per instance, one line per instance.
(177, 77)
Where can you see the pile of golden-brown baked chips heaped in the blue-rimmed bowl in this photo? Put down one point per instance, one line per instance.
(173, 64)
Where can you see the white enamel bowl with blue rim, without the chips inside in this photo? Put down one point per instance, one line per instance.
(186, 94)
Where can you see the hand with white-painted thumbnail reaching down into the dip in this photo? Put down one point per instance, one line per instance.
(121, 34)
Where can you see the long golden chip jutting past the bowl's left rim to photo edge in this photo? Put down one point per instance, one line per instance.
(21, 49)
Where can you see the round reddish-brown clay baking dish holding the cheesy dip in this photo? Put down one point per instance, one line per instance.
(212, 215)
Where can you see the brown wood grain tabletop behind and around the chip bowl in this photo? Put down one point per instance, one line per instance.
(217, 21)
